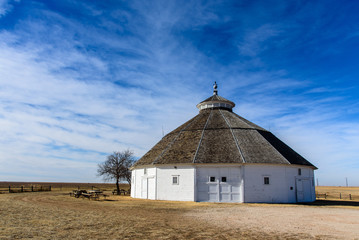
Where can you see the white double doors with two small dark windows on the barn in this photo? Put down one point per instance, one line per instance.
(218, 184)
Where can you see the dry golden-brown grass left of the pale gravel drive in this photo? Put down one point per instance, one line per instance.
(58, 216)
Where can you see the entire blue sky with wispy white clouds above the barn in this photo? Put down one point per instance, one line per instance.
(81, 79)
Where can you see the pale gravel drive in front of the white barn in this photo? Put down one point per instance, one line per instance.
(317, 222)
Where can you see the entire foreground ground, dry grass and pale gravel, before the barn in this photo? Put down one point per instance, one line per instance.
(56, 215)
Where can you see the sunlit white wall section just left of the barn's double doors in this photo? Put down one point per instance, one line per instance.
(183, 191)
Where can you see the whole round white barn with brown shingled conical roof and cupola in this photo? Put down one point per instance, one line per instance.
(218, 156)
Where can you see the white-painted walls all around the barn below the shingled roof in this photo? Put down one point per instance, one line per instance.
(245, 183)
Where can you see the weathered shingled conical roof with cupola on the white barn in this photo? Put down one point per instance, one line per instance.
(219, 136)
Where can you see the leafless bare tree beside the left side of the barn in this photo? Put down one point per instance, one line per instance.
(116, 167)
